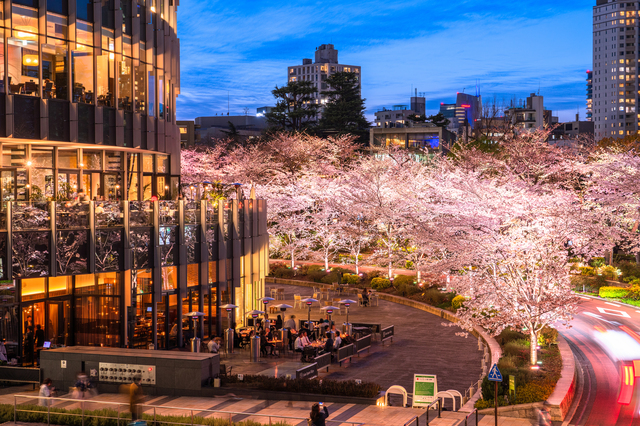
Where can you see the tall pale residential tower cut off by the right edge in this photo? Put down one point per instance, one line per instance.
(615, 68)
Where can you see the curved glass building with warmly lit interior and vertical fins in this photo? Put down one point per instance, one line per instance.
(87, 106)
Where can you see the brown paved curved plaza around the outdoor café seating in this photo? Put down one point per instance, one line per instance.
(421, 345)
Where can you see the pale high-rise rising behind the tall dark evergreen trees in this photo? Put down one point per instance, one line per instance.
(325, 64)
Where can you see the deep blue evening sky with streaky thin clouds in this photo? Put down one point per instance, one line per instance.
(241, 50)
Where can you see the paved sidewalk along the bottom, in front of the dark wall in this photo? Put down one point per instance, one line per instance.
(251, 409)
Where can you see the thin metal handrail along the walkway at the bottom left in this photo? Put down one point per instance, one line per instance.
(83, 402)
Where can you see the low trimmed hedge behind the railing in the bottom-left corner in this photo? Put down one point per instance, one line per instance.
(61, 416)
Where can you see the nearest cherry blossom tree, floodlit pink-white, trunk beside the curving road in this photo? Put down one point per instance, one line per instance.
(511, 243)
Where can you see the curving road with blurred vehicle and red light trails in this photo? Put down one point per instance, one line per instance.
(605, 338)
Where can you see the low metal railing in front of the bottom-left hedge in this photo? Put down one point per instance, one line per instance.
(125, 420)
